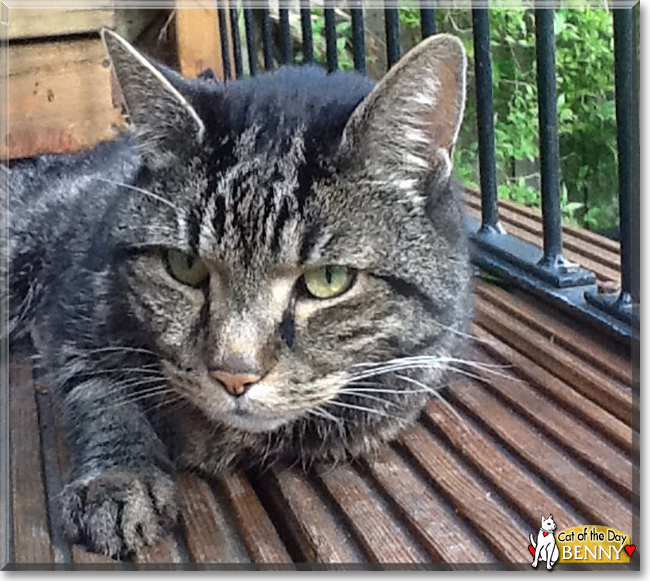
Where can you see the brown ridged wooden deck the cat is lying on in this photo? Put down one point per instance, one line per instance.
(547, 431)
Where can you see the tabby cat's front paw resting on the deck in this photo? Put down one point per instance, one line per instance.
(120, 511)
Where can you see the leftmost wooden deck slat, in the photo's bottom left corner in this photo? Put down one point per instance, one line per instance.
(31, 537)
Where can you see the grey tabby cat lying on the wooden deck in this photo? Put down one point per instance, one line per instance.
(272, 269)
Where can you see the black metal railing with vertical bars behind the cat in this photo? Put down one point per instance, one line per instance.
(544, 272)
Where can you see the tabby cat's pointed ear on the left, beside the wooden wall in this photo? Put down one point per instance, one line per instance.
(165, 122)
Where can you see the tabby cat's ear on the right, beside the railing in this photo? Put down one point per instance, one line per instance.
(406, 128)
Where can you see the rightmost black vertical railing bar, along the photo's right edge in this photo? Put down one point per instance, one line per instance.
(623, 56)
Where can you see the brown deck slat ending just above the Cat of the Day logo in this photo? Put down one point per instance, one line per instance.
(554, 465)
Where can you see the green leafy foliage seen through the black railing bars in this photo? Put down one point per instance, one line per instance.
(585, 89)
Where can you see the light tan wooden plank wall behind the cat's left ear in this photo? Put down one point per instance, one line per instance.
(60, 91)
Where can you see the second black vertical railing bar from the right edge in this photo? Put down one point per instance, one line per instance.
(549, 149)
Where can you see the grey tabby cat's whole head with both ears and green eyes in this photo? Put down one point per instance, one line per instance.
(295, 249)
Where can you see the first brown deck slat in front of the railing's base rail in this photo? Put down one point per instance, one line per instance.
(598, 354)
